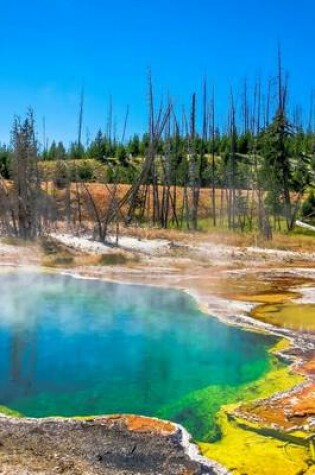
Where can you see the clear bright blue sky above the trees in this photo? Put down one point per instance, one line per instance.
(49, 48)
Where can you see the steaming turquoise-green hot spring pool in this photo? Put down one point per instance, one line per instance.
(82, 347)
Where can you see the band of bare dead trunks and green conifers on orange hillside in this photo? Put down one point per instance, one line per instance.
(187, 171)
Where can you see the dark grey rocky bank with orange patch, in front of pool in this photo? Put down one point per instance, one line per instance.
(113, 445)
